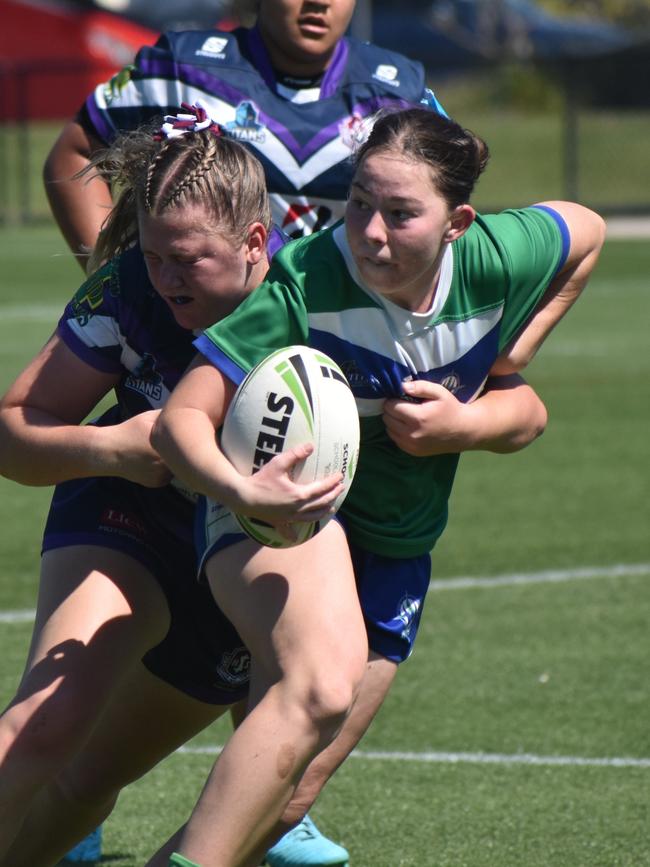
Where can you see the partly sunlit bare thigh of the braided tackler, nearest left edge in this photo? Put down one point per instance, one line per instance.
(98, 612)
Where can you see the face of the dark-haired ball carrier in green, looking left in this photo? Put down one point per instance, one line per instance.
(398, 226)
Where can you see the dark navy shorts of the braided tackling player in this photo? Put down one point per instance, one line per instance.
(202, 655)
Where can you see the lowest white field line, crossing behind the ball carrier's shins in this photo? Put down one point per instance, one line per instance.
(467, 758)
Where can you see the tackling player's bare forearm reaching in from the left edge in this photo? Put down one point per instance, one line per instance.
(37, 449)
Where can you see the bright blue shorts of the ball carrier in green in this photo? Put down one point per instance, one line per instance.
(391, 590)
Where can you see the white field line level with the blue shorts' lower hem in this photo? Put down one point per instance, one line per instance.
(551, 576)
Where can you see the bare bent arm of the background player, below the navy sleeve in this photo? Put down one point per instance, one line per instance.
(79, 205)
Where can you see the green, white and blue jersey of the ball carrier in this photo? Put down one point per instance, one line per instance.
(491, 280)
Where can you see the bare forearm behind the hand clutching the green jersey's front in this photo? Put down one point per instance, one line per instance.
(507, 417)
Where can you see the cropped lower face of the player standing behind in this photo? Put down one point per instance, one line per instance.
(302, 34)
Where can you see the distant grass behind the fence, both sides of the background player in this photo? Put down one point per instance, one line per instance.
(527, 158)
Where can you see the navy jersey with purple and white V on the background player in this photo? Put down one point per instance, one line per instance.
(304, 146)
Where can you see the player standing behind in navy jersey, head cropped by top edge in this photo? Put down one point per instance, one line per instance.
(293, 88)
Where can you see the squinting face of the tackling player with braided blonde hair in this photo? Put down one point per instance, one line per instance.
(195, 268)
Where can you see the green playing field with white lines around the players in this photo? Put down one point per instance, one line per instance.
(517, 735)
